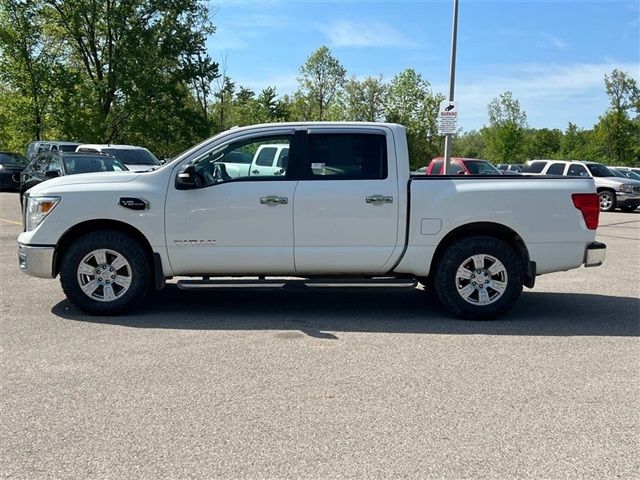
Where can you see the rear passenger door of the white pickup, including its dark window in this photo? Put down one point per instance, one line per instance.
(346, 203)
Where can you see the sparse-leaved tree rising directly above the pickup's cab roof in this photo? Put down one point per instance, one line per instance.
(321, 77)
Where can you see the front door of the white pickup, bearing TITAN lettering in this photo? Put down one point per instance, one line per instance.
(226, 224)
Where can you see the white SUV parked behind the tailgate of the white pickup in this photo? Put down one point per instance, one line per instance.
(614, 192)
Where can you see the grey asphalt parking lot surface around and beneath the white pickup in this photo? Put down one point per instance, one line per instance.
(324, 384)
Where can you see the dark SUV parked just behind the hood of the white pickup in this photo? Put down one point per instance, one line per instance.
(55, 164)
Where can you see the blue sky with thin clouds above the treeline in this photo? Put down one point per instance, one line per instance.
(551, 54)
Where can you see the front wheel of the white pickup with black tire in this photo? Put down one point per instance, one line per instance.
(132, 280)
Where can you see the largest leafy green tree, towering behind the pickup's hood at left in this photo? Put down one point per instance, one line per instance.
(134, 54)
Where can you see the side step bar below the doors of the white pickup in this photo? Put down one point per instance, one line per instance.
(206, 284)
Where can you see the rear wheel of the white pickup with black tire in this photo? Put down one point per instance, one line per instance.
(485, 302)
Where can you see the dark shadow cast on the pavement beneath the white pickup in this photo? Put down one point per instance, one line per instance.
(316, 313)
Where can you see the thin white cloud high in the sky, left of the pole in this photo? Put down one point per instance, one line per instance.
(343, 33)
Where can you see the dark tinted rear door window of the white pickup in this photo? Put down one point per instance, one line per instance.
(346, 156)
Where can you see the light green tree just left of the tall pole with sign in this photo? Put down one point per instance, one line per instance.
(411, 103)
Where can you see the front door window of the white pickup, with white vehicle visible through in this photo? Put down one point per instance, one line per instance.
(252, 159)
